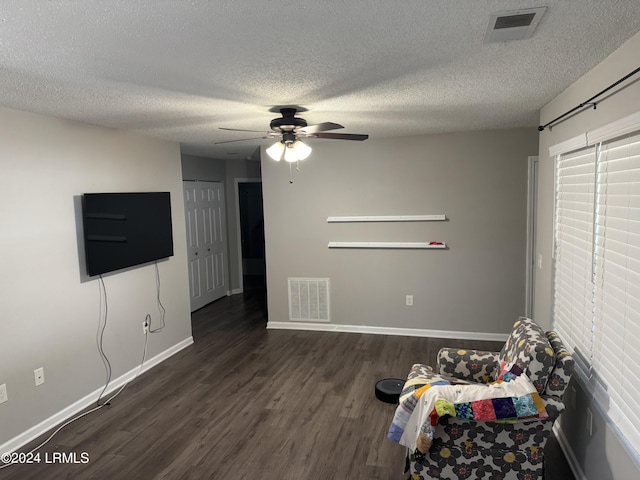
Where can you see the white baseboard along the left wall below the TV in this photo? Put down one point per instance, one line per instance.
(66, 413)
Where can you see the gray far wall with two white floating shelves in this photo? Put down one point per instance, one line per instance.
(478, 179)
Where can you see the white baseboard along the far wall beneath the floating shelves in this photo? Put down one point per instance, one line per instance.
(405, 332)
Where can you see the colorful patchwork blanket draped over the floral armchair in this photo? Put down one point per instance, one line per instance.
(422, 403)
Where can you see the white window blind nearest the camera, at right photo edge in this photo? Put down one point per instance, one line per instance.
(617, 284)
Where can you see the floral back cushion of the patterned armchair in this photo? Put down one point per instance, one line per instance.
(529, 348)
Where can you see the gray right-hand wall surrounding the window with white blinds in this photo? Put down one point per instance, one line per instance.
(601, 456)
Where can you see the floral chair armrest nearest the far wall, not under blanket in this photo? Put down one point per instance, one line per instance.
(472, 365)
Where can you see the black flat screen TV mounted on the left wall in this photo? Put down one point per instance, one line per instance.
(125, 229)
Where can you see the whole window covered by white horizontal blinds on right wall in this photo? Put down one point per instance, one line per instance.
(597, 272)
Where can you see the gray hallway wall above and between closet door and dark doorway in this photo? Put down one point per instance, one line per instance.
(226, 171)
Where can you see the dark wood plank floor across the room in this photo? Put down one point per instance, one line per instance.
(244, 402)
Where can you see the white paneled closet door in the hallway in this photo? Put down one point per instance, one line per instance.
(206, 242)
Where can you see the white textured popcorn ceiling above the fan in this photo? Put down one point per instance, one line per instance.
(179, 70)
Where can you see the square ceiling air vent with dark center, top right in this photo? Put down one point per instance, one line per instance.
(513, 25)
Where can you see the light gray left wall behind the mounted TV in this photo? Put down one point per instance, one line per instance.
(49, 310)
